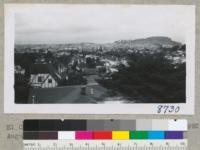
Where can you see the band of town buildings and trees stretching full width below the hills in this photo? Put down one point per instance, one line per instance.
(53, 66)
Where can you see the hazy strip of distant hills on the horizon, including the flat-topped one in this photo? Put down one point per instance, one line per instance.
(151, 43)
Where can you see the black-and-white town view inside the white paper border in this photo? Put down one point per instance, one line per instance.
(102, 54)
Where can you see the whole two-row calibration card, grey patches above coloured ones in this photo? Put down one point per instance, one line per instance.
(104, 129)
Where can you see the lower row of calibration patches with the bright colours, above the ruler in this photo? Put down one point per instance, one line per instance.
(103, 135)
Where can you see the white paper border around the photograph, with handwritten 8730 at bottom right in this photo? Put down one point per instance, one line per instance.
(138, 108)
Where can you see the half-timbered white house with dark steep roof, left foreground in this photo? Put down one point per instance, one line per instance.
(44, 76)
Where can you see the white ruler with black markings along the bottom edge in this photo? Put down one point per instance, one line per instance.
(105, 144)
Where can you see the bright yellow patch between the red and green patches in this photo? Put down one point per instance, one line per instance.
(120, 135)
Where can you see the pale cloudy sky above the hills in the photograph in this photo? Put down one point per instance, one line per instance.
(51, 24)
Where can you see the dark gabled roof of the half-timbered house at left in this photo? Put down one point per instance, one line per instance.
(45, 69)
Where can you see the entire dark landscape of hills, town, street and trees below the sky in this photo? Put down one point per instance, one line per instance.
(125, 71)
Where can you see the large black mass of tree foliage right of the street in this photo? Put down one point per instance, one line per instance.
(151, 78)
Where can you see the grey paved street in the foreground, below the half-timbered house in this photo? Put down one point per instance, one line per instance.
(70, 94)
